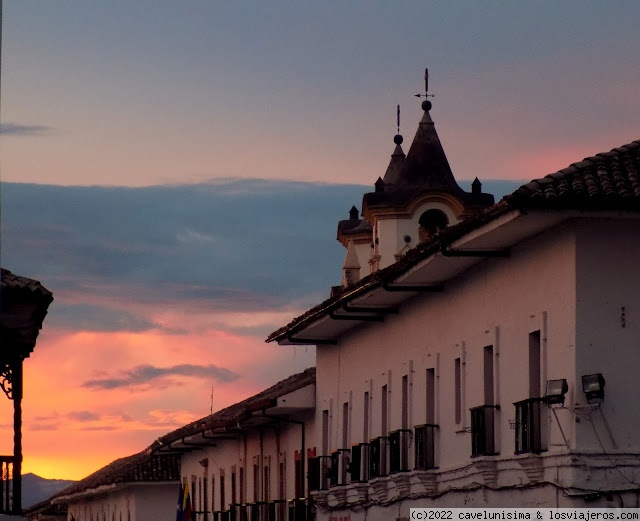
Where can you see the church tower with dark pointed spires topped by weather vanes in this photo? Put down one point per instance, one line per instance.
(417, 197)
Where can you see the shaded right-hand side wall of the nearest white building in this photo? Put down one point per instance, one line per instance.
(608, 332)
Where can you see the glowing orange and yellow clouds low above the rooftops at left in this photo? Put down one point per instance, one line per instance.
(71, 429)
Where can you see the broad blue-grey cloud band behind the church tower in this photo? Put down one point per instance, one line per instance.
(232, 245)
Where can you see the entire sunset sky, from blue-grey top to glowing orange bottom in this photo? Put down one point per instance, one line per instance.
(174, 172)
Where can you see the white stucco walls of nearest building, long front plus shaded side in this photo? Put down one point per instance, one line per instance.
(577, 285)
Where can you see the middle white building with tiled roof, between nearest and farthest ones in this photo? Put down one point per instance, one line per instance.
(246, 462)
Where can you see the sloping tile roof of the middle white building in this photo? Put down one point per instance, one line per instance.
(231, 415)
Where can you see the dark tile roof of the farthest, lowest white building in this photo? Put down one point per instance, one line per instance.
(136, 468)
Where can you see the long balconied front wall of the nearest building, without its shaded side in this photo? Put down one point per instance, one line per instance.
(497, 303)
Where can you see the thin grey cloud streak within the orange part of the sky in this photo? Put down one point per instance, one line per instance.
(144, 374)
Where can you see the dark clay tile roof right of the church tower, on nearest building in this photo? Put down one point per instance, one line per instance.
(609, 180)
